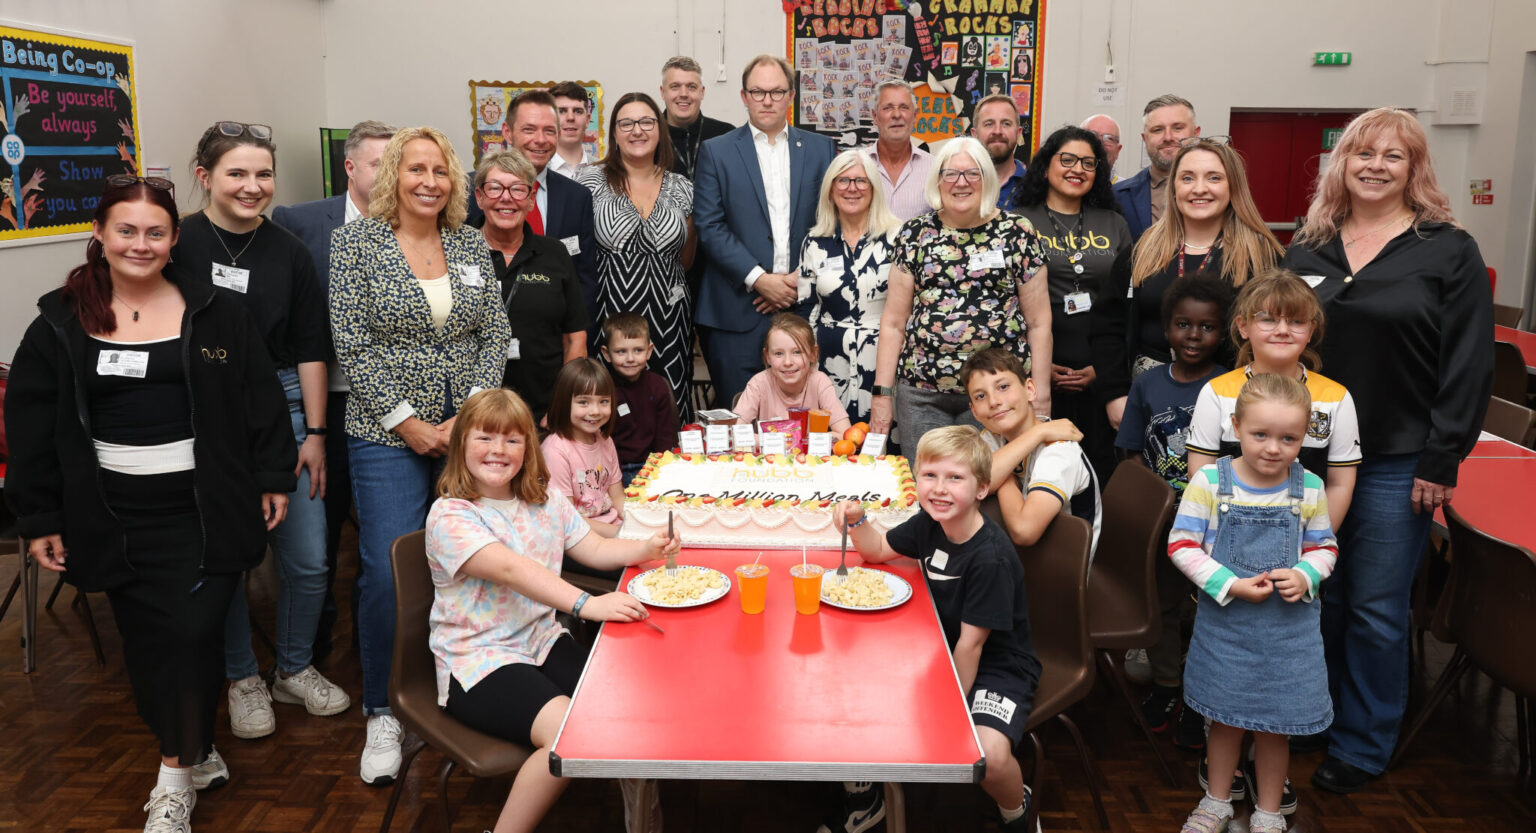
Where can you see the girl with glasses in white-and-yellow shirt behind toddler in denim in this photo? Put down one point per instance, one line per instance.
(1276, 324)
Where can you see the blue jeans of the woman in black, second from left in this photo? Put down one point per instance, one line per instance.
(299, 546)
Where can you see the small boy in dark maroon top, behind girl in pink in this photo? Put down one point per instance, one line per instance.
(644, 410)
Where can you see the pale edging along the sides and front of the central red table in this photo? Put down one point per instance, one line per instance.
(770, 771)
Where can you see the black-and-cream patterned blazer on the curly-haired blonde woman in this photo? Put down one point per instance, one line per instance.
(399, 365)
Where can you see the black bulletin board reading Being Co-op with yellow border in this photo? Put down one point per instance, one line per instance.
(68, 121)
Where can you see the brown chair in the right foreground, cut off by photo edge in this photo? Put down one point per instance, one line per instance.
(1492, 620)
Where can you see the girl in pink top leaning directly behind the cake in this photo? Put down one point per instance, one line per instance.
(792, 379)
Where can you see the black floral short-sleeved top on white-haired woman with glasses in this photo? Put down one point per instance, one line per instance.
(965, 294)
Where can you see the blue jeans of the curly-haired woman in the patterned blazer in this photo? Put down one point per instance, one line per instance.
(392, 491)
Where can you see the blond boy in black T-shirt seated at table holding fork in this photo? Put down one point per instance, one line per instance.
(979, 592)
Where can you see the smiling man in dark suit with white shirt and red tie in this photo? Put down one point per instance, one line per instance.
(563, 210)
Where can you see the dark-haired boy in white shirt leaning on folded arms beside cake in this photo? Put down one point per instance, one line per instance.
(1039, 471)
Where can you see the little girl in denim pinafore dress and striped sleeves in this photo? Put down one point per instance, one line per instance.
(1254, 536)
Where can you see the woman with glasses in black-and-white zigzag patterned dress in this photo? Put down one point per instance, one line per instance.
(644, 228)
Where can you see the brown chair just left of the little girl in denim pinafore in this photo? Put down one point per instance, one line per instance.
(1124, 609)
